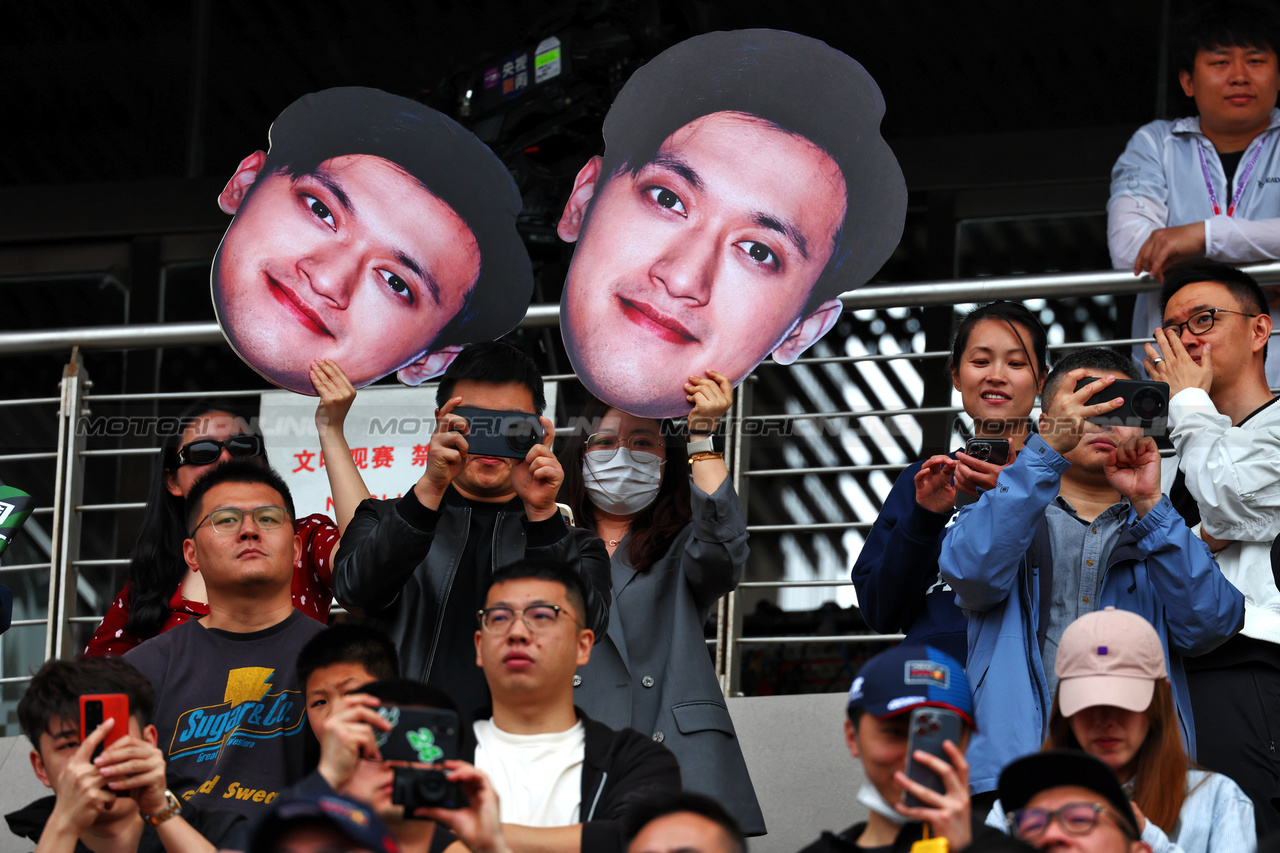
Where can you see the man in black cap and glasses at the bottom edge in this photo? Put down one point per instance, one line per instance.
(1064, 800)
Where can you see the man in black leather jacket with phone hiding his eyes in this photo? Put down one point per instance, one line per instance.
(419, 565)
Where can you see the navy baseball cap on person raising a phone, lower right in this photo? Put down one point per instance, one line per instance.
(911, 677)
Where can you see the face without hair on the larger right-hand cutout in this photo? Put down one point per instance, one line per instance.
(703, 259)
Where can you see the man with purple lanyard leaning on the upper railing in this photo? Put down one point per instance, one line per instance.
(1206, 186)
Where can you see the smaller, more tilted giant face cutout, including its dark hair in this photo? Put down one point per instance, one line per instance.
(376, 232)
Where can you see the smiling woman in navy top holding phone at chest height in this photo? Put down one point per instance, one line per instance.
(999, 362)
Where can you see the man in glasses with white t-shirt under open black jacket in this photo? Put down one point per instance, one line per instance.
(564, 781)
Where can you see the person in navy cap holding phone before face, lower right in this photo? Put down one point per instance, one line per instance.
(884, 701)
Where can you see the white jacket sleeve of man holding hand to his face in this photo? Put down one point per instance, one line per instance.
(1233, 473)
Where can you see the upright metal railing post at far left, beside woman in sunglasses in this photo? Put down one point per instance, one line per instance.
(68, 495)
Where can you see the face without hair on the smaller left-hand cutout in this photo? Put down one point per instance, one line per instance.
(355, 262)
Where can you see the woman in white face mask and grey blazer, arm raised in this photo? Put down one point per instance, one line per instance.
(665, 507)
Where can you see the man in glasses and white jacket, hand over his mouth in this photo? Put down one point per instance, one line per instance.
(1226, 426)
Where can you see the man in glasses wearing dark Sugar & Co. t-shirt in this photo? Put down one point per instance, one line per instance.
(230, 708)
